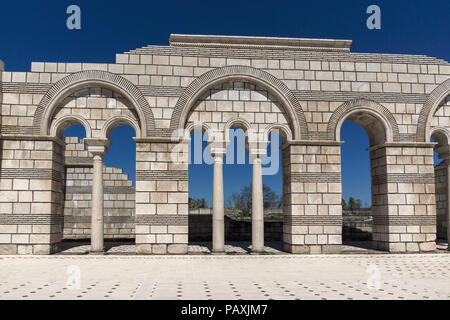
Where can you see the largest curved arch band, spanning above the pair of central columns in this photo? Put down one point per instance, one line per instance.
(247, 74)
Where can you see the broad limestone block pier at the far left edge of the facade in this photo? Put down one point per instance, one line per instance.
(30, 196)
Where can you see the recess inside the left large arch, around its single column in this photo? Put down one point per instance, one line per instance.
(105, 116)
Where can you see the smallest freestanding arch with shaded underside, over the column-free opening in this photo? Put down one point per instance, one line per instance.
(356, 110)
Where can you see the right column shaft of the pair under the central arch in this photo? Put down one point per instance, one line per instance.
(257, 207)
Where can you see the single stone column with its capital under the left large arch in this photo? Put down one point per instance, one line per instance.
(98, 148)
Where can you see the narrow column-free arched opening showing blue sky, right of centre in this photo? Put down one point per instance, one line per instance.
(363, 194)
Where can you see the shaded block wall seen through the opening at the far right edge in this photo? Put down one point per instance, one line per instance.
(441, 200)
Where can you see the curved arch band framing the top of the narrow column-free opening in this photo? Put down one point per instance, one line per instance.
(368, 107)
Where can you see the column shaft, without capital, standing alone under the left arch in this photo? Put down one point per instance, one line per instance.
(97, 228)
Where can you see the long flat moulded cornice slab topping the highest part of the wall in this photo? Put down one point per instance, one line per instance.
(259, 42)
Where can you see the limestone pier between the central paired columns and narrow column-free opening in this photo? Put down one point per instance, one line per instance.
(312, 198)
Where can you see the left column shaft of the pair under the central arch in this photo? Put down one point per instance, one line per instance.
(218, 207)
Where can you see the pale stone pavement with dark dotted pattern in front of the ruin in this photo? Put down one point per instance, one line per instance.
(202, 277)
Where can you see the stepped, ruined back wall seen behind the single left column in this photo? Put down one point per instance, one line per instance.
(119, 197)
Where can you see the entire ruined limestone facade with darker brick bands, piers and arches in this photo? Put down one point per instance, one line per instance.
(305, 87)
